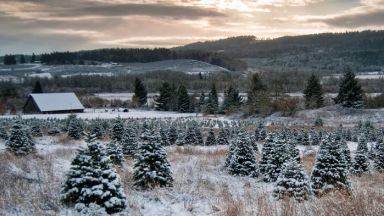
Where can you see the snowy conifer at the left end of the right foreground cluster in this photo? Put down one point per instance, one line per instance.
(242, 161)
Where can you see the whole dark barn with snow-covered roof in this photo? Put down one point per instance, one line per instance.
(53, 103)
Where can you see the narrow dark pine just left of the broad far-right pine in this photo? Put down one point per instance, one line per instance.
(313, 93)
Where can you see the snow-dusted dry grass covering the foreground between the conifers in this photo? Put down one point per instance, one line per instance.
(31, 186)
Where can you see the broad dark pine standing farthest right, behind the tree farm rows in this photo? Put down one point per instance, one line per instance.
(350, 92)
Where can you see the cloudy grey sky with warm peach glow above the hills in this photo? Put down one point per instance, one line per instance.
(38, 26)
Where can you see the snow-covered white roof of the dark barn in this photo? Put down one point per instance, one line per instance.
(57, 101)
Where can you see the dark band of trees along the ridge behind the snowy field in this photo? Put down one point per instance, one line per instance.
(142, 55)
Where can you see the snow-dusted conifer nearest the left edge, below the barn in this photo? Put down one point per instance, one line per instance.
(19, 143)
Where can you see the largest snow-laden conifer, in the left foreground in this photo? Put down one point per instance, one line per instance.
(93, 180)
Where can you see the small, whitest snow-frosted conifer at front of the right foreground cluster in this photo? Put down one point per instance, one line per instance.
(292, 182)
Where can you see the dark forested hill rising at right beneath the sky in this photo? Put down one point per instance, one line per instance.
(318, 52)
